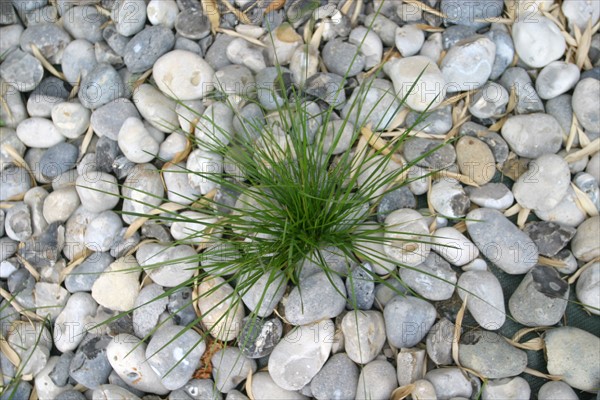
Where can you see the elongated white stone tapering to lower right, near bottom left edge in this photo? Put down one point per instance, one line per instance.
(127, 356)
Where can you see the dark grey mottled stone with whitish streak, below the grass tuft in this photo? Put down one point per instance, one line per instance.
(259, 337)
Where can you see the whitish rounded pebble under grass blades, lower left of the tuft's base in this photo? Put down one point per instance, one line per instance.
(167, 265)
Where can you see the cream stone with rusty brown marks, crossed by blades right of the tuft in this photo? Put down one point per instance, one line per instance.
(404, 232)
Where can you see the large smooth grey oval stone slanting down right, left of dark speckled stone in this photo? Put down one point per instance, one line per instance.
(501, 242)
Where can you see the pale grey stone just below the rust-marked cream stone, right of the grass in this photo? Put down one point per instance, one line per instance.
(433, 279)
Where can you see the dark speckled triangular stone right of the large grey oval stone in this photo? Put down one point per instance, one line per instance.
(549, 237)
